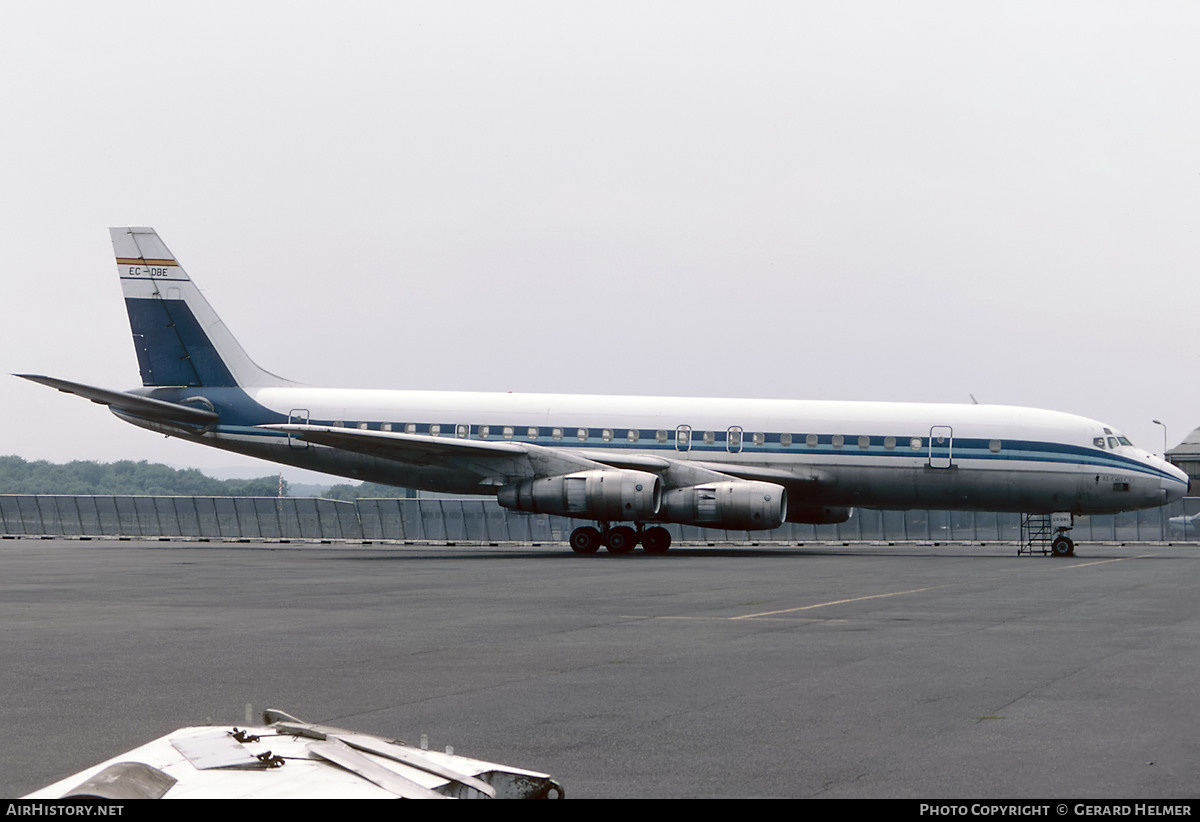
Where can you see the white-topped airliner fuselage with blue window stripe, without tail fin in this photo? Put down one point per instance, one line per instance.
(851, 454)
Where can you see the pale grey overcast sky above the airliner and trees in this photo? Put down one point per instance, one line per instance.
(844, 201)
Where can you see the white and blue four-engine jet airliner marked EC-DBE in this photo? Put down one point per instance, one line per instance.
(627, 464)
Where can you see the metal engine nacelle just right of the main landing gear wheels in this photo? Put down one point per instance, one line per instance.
(736, 506)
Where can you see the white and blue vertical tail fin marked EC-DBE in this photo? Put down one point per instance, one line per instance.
(178, 337)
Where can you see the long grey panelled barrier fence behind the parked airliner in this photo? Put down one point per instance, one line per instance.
(482, 520)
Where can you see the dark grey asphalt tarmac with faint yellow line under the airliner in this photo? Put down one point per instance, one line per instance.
(824, 671)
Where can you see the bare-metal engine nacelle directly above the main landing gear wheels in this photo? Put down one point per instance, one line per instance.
(609, 495)
